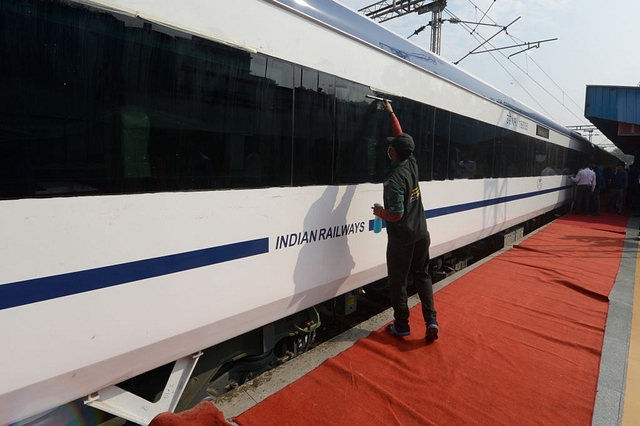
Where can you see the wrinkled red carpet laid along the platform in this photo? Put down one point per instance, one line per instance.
(520, 344)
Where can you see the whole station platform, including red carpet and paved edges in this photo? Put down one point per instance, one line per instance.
(545, 332)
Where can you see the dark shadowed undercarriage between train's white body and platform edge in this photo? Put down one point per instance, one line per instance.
(230, 364)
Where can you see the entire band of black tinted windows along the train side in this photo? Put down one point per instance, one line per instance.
(98, 103)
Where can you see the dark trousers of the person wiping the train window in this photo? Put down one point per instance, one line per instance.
(402, 260)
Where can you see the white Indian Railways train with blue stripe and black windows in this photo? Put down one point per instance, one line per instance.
(182, 183)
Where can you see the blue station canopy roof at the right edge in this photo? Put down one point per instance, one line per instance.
(615, 111)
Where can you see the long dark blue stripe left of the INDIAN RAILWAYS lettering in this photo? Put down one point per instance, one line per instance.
(41, 289)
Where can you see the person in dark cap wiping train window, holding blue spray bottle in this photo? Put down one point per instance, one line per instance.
(408, 239)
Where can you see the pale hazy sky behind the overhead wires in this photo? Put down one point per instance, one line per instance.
(596, 44)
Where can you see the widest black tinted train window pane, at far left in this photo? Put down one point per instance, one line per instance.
(107, 104)
